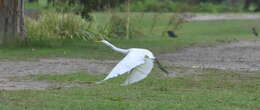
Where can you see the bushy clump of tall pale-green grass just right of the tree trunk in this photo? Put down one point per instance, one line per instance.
(55, 26)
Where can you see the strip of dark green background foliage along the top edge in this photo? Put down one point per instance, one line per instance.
(211, 6)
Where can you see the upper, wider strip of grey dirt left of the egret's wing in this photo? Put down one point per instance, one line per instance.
(54, 66)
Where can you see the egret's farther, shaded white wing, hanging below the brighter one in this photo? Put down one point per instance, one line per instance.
(140, 72)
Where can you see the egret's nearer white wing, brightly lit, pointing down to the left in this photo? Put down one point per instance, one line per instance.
(130, 61)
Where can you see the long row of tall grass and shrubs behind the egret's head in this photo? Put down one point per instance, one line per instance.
(58, 28)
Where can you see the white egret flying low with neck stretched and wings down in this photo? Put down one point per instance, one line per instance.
(137, 62)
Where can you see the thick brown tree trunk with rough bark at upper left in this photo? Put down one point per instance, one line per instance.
(11, 20)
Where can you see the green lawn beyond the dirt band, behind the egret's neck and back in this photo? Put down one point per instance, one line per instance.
(203, 33)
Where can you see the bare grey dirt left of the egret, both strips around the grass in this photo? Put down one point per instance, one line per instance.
(48, 66)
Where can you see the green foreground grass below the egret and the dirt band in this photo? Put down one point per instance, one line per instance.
(214, 90)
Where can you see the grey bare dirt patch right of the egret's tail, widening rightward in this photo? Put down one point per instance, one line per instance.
(244, 55)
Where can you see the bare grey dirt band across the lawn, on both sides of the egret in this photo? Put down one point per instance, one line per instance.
(238, 56)
